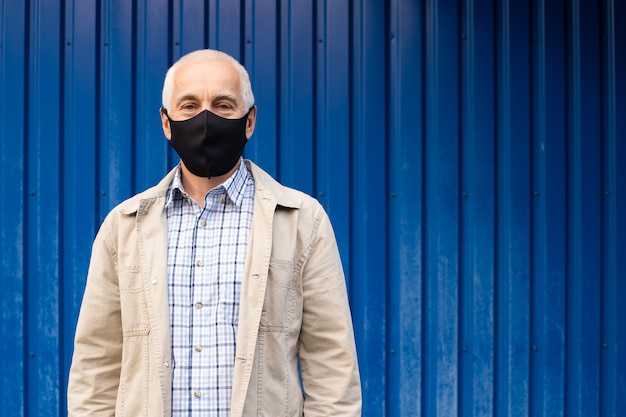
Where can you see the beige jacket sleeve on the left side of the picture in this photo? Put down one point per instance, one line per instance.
(94, 373)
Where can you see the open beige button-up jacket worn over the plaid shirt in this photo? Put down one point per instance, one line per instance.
(293, 305)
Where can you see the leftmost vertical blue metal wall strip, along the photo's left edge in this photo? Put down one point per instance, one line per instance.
(14, 41)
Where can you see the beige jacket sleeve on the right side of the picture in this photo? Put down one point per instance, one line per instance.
(328, 359)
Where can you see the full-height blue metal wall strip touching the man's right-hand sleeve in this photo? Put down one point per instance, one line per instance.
(368, 189)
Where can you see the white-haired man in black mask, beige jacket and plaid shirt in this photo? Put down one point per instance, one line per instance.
(205, 292)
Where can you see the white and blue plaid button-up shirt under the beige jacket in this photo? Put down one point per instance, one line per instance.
(206, 253)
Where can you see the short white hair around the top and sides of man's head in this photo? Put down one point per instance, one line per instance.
(206, 55)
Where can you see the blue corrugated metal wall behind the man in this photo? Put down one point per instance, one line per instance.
(470, 154)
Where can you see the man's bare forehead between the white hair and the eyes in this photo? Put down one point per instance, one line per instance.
(216, 77)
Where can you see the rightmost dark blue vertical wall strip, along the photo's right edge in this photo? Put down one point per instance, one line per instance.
(614, 202)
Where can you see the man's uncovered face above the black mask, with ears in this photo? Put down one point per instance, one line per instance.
(213, 86)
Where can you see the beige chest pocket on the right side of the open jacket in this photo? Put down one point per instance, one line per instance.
(280, 297)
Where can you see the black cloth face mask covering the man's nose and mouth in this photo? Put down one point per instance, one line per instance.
(208, 145)
